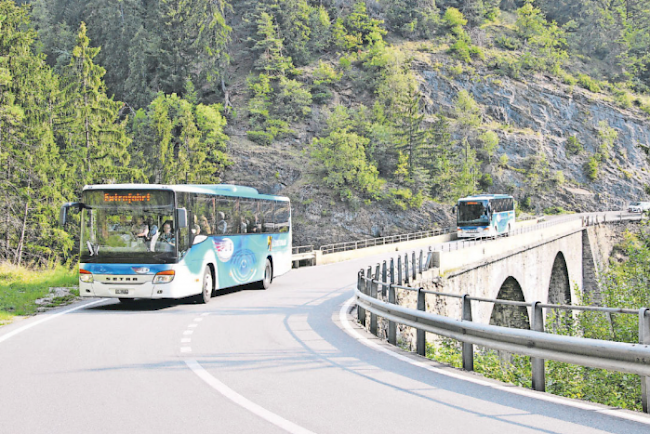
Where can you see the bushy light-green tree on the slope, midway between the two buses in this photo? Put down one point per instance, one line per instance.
(340, 158)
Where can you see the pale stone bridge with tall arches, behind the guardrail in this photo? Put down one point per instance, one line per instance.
(550, 263)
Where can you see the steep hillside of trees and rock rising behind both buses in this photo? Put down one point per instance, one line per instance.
(374, 116)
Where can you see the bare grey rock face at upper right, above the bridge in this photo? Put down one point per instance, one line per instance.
(537, 117)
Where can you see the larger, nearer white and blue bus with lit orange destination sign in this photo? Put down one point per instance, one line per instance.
(175, 241)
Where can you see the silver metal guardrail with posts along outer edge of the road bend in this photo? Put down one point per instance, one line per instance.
(376, 293)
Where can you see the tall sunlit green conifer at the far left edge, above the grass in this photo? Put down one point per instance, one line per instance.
(33, 178)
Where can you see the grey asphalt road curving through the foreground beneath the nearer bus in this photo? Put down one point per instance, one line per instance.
(253, 361)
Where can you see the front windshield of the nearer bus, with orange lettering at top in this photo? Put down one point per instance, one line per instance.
(128, 227)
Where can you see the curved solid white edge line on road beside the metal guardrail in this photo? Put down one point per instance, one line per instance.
(343, 319)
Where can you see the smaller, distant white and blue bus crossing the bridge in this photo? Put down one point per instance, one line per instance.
(485, 215)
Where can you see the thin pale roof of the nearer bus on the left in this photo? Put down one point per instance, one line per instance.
(220, 189)
